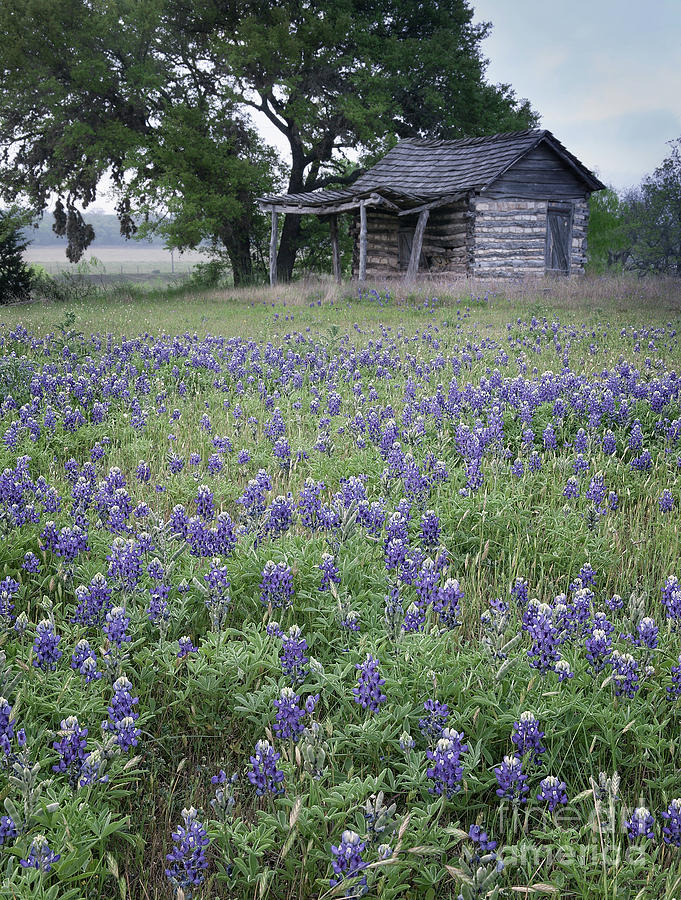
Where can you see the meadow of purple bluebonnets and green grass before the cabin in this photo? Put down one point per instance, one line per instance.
(340, 597)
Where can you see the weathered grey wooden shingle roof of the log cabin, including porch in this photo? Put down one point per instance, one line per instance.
(416, 171)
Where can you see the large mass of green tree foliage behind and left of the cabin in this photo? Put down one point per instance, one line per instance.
(157, 95)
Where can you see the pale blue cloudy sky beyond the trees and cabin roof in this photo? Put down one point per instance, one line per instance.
(604, 75)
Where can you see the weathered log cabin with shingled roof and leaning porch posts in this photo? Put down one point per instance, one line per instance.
(513, 204)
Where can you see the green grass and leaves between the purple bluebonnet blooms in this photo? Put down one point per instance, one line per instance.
(207, 712)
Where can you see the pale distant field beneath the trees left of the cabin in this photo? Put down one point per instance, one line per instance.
(117, 261)
